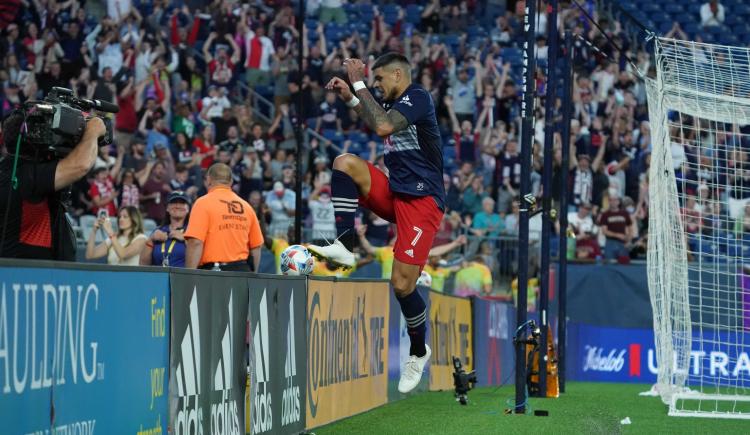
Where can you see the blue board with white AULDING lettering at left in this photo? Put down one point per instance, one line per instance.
(83, 351)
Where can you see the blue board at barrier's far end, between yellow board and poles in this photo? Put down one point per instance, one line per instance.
(494, 353)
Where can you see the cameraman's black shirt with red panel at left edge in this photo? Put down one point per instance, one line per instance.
(34, 216)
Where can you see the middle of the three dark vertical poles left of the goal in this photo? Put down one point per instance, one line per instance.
(549, 137)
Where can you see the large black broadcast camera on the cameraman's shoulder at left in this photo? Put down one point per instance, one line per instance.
(56, 124)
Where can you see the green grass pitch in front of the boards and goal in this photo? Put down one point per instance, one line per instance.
(586, 408)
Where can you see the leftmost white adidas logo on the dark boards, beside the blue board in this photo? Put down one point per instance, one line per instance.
(189, 418)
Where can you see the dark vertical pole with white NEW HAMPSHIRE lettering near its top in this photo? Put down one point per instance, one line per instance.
(527, 133)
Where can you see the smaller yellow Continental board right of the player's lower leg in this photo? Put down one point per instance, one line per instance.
(450, 335)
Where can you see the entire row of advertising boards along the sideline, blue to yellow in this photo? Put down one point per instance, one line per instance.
(87, 348)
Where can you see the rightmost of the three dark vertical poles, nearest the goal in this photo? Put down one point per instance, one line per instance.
(562, 275)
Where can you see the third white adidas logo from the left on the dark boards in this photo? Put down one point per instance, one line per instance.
(263, 417)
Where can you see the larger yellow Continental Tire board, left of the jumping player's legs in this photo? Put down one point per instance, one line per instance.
(347, 365)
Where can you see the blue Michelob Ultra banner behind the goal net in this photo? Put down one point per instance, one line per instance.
(628, 355)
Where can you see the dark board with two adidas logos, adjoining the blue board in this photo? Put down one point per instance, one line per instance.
(207, 357)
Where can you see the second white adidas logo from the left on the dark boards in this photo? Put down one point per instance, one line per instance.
(225, 414)
